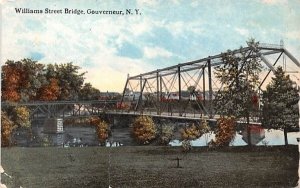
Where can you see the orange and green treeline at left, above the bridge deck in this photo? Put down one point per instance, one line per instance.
(28, 80)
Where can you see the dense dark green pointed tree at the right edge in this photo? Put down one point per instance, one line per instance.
(280, 104)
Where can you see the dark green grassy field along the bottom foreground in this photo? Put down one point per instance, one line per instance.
(150, 166)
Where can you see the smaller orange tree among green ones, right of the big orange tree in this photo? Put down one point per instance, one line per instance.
(50, 92)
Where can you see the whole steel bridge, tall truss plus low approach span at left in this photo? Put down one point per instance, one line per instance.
(164, 92)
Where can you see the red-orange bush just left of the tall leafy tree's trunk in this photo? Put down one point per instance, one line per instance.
(226, 131)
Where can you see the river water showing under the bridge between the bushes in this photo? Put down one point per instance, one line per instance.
(80, 136)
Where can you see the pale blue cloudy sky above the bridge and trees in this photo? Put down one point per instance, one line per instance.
(166, 33)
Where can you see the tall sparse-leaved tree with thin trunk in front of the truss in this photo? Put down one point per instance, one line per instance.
(239, 75)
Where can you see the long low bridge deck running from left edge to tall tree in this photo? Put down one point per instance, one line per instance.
(73, 109)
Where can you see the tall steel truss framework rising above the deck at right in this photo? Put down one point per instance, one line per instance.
(165, 90)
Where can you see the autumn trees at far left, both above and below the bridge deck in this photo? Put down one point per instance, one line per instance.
(28, 80)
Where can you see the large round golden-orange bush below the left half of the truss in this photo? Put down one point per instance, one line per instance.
(144, 129)
